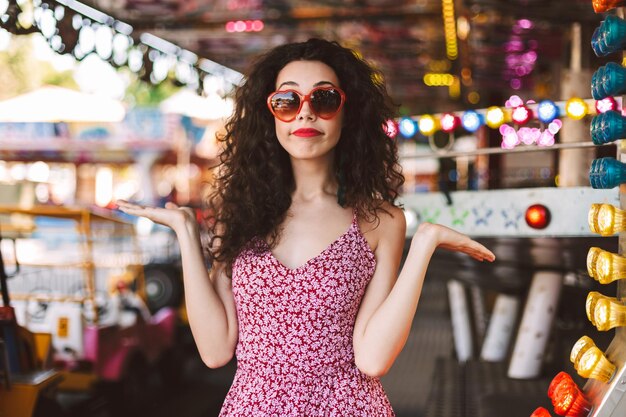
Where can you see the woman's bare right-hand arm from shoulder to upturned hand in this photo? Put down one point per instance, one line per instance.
(388, 307)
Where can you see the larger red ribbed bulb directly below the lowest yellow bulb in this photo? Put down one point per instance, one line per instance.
(567, 398)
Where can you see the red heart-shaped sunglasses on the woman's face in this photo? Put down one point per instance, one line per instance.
(325, 103)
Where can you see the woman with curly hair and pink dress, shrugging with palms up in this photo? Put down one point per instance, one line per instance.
(305, 286)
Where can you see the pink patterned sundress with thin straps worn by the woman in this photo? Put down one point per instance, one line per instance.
(294, 355)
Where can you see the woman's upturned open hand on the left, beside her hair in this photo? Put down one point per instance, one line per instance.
(171, 216)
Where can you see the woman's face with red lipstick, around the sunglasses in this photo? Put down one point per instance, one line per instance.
(308, 136)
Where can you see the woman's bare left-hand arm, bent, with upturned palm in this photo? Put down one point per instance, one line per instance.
(209, 299)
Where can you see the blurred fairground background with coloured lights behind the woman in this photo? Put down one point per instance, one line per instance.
(123, 99)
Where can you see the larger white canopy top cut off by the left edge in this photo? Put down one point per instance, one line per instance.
(57, 104)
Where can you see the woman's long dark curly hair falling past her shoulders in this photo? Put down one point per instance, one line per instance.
(255, 181)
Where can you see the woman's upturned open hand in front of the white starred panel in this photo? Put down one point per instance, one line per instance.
(446, 238)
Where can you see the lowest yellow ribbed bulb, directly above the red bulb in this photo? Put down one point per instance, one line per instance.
(590, 362)
